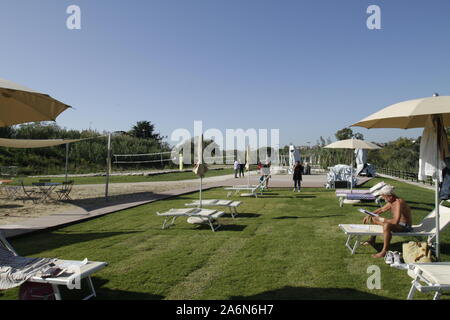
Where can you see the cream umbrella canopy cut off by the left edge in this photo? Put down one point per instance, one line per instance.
(19, 104)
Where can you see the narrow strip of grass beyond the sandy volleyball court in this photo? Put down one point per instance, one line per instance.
(176, 176)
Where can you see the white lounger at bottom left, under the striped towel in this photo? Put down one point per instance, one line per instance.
(84, 270)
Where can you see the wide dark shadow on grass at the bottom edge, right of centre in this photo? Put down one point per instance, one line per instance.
(300, 293)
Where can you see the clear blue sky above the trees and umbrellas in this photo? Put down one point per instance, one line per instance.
(308, 68)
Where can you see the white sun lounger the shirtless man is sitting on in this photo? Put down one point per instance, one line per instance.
(425, 229)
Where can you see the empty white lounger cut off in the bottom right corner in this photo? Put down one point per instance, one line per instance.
(429, 277)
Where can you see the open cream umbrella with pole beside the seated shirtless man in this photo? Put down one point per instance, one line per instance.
(415, 114)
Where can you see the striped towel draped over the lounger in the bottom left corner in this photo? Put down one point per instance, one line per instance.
(15, 270)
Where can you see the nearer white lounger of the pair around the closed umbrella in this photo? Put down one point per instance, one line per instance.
(196, 216)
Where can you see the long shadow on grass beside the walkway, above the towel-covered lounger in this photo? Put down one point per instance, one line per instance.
(48, 241)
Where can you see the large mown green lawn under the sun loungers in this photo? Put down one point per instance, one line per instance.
(282, 246)
